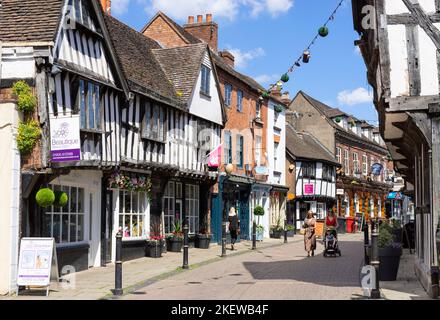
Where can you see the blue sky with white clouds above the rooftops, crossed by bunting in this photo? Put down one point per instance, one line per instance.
(267, 36)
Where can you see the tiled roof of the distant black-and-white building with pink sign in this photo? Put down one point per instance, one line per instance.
(305, 146)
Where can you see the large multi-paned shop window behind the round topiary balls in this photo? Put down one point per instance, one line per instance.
(66, 225)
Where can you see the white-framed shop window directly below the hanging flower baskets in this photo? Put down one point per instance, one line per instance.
(132, 210)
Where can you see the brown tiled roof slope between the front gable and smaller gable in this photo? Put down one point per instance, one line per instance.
(134, 52)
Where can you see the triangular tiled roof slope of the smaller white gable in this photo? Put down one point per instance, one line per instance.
(182, 66)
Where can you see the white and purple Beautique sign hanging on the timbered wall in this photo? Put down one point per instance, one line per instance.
(65, 143)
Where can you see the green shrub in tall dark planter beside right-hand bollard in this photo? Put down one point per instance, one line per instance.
(389, 254)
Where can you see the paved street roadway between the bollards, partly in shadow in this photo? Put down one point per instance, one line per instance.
(278, 273)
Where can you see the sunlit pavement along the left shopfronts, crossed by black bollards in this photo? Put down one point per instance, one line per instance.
(97, 283)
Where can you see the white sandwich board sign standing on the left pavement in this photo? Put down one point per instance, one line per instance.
(38, 263)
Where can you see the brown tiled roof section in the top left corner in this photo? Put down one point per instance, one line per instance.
(29, 20)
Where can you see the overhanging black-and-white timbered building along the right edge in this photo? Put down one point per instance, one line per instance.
(400, 41)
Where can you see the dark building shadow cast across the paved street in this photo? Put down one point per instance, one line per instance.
(341, 271)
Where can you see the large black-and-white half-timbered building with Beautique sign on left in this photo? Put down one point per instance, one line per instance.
(141, 121)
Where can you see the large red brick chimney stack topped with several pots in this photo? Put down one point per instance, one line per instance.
(207, 31)
